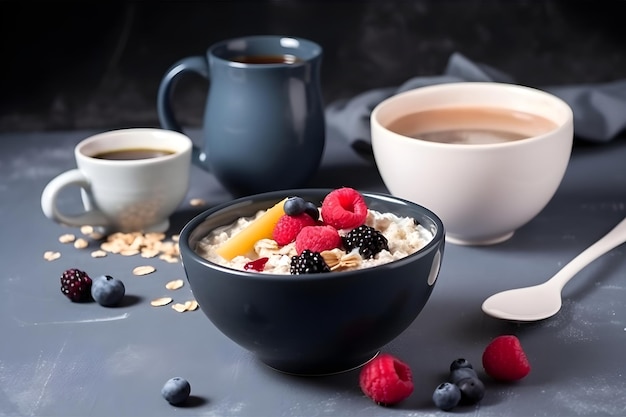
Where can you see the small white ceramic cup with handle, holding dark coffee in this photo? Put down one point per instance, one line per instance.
(125, 195)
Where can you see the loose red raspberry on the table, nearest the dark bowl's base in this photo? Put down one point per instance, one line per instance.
(386, 380)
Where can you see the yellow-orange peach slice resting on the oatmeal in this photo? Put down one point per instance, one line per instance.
(262, 228)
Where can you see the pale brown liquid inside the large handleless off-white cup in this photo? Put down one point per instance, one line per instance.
(471, 125)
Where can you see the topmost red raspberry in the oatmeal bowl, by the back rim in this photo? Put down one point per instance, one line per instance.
(344, 208)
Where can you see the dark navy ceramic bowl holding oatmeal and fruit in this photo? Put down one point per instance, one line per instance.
(319, 323)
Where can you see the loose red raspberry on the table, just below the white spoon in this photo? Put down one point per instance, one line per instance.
(505, 360)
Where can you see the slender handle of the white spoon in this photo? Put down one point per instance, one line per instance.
(614, 238)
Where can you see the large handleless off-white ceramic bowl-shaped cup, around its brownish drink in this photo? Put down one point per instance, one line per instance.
(482, 192)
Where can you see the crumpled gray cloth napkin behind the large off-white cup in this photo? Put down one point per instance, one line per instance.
(599, 109)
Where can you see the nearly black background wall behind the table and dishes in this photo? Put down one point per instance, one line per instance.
(97, 65)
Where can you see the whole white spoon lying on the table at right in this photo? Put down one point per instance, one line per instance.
(544, 300)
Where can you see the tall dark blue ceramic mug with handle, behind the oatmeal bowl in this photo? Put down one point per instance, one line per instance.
(263, 126)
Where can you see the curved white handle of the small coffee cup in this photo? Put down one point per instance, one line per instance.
(74, 177)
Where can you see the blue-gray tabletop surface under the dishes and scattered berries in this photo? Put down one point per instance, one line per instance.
(59, 358)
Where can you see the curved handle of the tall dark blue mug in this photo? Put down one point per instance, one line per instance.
(194, 64)
